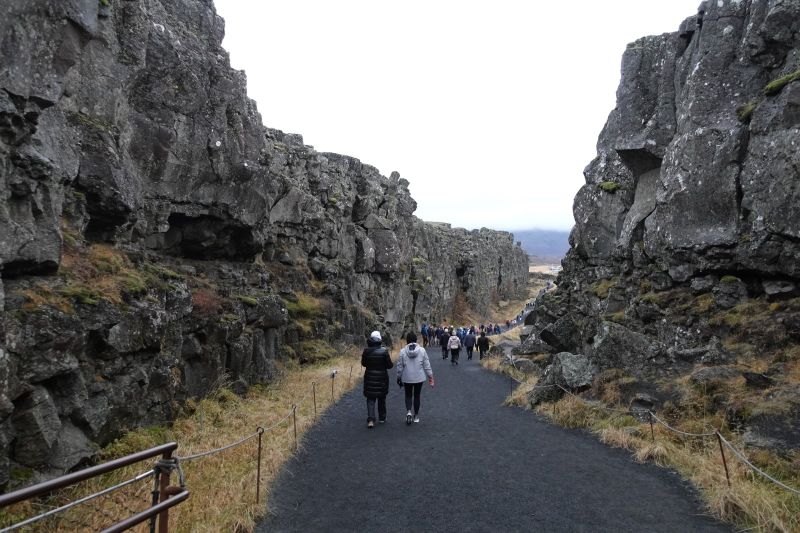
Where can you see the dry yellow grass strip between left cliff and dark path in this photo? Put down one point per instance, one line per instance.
(222, 486)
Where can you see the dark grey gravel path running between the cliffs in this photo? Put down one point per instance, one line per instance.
(470, 465)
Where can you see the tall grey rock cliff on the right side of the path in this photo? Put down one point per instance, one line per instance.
(686, 248)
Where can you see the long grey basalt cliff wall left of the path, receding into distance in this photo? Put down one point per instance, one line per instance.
(156, 239)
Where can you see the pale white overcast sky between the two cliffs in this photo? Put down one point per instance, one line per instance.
(491, 109)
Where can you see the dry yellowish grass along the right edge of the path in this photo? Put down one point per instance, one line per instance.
(750, 502)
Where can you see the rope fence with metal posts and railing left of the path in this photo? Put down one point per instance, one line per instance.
(166, 465)
